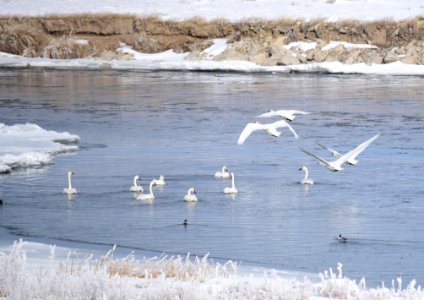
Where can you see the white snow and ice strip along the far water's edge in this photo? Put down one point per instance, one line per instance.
(169, 61)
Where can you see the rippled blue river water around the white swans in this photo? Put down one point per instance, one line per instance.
(185, 126)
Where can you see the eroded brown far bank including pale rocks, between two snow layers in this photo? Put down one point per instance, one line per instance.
(98, 36)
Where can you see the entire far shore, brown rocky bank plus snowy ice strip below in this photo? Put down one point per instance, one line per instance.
(111, 41)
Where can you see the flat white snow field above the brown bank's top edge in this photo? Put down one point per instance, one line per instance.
(233, 10)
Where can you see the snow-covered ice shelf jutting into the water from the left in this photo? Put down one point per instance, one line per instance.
(29, 145)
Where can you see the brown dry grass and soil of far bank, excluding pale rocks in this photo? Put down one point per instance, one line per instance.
(47, 35)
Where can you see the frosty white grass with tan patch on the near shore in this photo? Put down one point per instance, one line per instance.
(170, 278)
